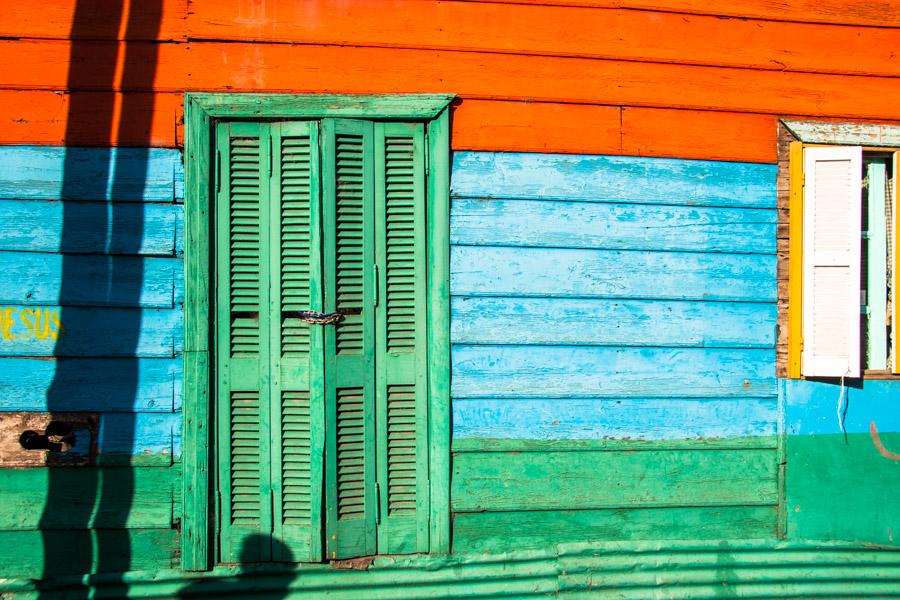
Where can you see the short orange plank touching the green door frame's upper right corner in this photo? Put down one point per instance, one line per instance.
(536, 127)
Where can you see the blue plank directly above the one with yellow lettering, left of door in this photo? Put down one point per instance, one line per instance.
(35, 278)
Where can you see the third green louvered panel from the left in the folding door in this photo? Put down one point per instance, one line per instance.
(349, 249)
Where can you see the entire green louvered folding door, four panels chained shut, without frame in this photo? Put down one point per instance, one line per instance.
(321, 428)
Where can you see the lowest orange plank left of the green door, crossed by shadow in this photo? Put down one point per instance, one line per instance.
(97, 118)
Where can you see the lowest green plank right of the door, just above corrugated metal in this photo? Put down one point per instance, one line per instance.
(494, 532)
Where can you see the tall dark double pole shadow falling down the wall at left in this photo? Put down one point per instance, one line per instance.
(89, 534)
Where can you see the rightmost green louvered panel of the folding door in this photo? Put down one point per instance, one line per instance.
(400, 353)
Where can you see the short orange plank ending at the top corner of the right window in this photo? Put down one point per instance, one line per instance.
(699, 134)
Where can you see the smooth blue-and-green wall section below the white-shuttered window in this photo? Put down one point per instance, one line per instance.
(843, 485)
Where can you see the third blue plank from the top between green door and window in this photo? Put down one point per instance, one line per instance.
(502, 271)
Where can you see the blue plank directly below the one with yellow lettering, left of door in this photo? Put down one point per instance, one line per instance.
(90, 384)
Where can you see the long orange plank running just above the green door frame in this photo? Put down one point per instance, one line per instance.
(222, 66)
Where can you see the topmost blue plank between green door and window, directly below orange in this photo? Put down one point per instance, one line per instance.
(613, 179)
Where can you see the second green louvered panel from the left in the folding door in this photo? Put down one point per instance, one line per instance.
(295, 357)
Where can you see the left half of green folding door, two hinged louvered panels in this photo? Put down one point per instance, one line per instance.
(269, 396)
